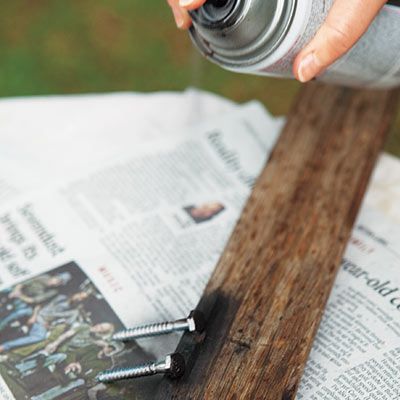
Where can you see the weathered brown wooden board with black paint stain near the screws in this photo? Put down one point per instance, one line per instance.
(267, 295)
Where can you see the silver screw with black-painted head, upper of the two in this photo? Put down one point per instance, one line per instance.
(195, 322)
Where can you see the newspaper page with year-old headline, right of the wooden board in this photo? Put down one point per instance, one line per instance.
(356, 353)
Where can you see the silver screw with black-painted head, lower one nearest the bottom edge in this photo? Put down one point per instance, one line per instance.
(173, 366)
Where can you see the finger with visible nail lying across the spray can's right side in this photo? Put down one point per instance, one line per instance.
(347, 21)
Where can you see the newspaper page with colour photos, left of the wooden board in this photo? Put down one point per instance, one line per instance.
(111, 250)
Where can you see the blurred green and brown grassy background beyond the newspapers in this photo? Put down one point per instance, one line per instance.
(80, 46)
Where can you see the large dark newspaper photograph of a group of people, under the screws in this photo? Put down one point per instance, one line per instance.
(56, 333)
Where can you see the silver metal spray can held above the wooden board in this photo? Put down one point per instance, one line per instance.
(263, 37)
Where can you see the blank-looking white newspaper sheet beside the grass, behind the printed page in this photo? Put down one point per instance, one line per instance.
(51, 139)
